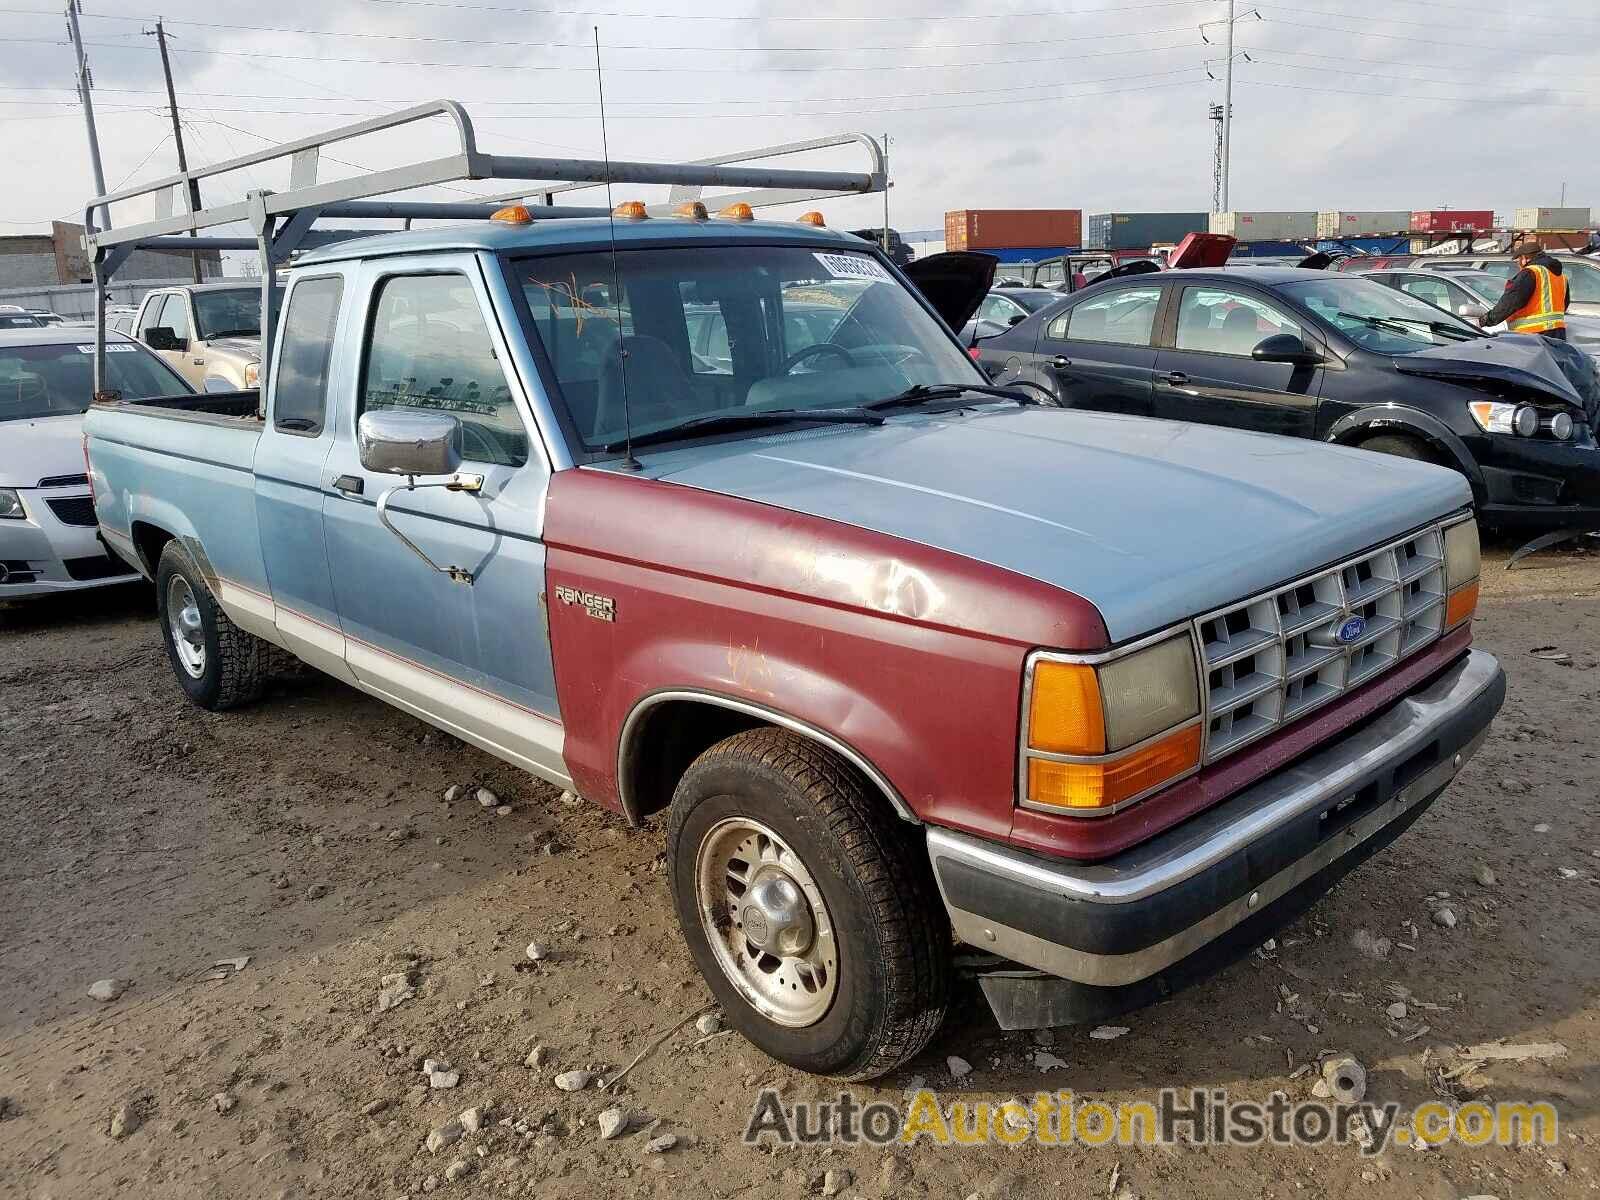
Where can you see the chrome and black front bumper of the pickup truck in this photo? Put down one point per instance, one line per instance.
(1110, 937)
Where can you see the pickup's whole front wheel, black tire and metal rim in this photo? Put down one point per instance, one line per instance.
(871, 986)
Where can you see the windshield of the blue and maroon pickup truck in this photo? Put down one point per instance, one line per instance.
(722, 332)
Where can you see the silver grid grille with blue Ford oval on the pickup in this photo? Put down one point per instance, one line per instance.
(1276, 658)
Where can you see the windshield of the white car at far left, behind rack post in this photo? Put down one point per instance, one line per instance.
(58, 380)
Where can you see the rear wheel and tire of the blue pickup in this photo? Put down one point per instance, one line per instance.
(218, 665)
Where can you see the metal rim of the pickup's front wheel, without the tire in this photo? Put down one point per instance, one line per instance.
(767, 922)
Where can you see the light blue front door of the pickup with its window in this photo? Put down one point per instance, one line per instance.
(473, 658)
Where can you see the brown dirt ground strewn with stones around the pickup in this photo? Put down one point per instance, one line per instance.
(145, 841)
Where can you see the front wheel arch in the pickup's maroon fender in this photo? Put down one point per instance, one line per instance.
(666, 730)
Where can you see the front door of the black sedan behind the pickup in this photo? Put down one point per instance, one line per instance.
(1204, 370)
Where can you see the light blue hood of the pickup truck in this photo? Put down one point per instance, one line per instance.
(1151, 521)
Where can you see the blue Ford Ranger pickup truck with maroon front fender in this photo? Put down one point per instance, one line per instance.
(718, 518)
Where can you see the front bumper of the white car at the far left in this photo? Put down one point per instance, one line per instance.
(44, 554)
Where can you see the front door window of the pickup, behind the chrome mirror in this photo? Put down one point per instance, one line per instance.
(430, 348)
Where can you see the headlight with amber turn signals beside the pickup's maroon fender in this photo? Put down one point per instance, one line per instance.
(1103, 735)
